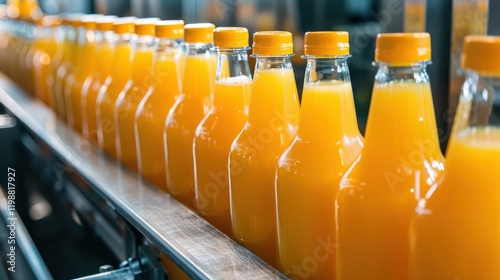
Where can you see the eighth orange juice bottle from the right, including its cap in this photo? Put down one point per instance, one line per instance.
(139, 83)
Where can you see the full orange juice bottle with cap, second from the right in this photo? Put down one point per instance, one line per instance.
(401, 159)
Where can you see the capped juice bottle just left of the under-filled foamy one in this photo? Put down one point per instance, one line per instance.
(188, 110)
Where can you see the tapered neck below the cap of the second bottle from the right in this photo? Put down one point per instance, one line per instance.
(401, 119)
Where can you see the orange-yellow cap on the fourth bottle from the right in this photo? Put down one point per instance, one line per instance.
(272, 43)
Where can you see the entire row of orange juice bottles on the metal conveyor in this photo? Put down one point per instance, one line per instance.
(295, 184)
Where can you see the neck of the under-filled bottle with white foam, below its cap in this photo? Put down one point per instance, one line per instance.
(233, 80)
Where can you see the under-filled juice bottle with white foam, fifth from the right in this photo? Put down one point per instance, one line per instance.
(224, 121)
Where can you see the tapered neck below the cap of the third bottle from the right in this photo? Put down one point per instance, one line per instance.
(327, 99)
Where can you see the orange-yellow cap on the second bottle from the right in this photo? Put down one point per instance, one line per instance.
(403, 48)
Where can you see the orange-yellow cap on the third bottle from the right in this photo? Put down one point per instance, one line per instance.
(326, 43)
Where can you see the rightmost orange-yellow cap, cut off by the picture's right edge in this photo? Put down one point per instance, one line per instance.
(482, 54)
